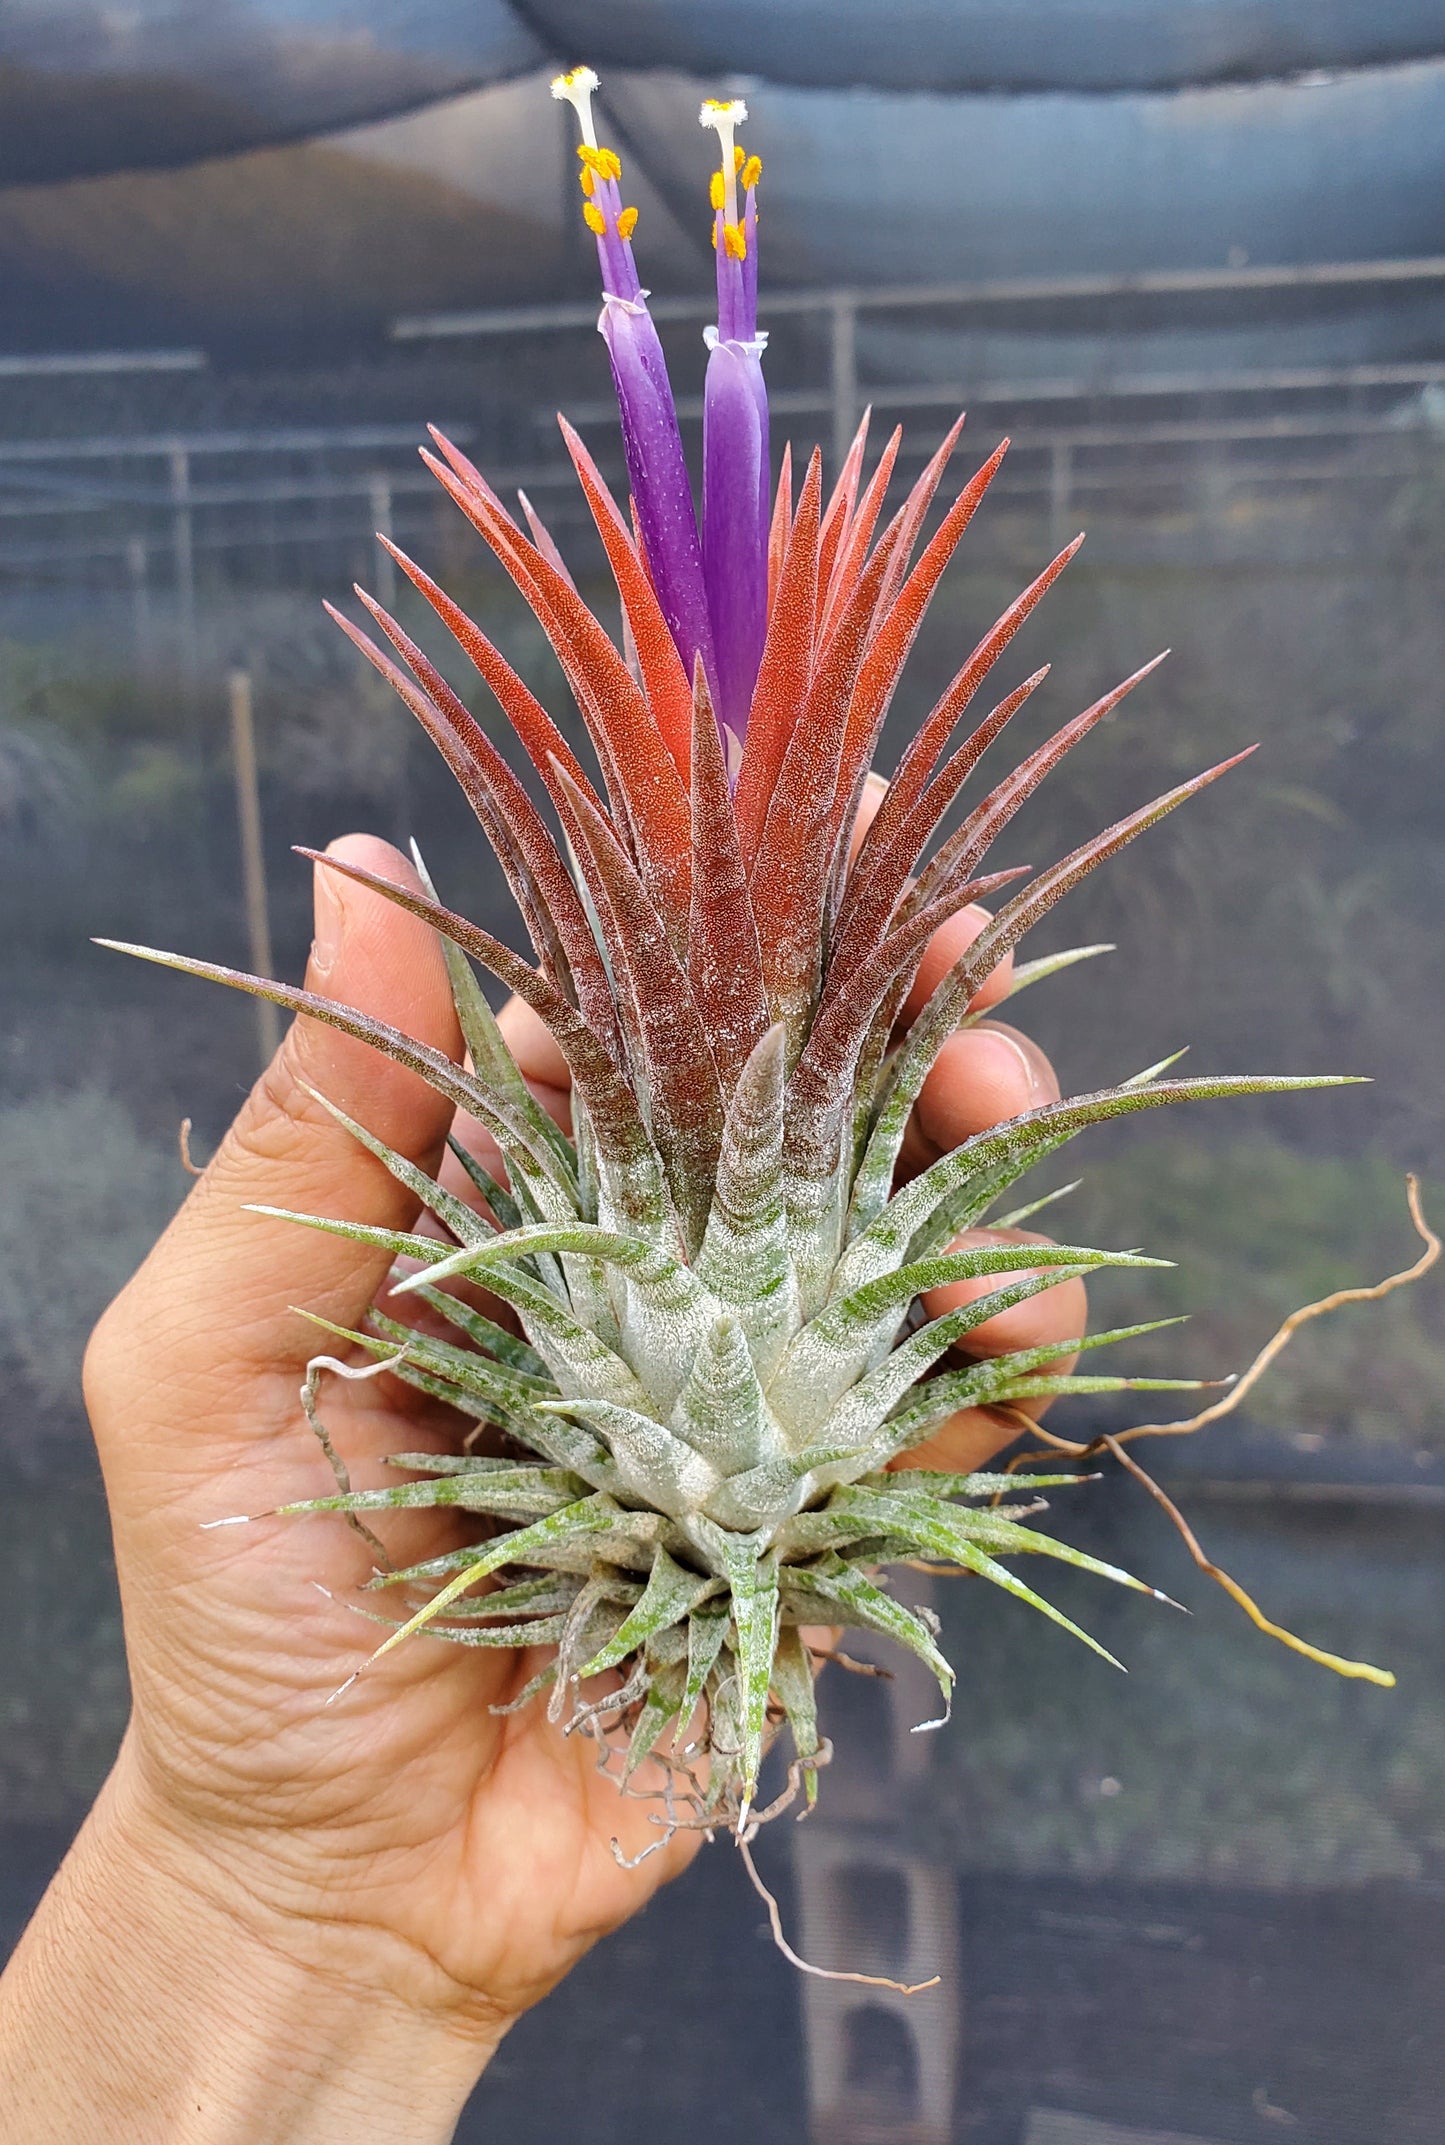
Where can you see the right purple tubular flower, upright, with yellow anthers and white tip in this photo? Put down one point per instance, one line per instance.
(736, 471)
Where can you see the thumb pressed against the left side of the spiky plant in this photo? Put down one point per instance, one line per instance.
(211, 1310)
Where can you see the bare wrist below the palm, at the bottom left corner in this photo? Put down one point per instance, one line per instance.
(160, 1998)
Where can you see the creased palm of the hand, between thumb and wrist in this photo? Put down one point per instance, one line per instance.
(479, 1846)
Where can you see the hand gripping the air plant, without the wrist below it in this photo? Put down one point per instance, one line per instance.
(466, 1854)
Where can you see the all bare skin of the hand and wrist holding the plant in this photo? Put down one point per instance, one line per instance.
(291, 1921)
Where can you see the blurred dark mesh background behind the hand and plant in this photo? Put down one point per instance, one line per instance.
(1193, 261)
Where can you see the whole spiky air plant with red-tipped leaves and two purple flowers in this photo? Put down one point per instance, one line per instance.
(685, 1440)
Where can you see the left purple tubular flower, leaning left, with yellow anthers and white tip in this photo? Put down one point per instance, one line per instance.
(651, 437)
